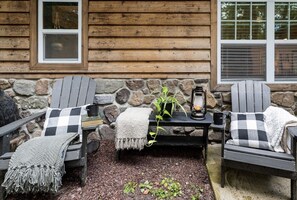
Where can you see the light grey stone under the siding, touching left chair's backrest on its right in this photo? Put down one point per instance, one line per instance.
(108, 85)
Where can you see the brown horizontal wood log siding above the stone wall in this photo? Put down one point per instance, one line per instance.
(126, 39)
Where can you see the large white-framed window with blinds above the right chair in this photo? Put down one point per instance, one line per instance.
(257, 40)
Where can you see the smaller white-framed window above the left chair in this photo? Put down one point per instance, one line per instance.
(59, 31)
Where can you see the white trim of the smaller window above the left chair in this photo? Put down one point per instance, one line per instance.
(42, 31)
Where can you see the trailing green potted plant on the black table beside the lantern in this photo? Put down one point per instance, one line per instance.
(165, 105)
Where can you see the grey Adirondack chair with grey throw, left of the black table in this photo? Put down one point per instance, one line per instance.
(70, 91)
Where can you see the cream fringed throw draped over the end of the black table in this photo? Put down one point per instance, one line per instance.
(132, 127)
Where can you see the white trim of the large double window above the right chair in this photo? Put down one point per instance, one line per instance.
(270, 42)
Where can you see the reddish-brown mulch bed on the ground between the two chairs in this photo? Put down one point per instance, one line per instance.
(107, 177)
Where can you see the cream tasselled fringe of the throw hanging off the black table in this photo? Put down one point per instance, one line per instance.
(130, 143)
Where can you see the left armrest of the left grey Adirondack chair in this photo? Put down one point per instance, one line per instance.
(4, 130)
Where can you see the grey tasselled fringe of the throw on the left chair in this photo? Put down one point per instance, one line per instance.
(36, 178)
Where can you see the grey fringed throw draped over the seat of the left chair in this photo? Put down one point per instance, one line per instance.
(38, 165)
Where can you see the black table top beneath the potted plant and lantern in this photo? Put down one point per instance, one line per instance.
(180, 119)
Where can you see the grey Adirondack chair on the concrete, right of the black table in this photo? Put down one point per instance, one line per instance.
(253, 96)
